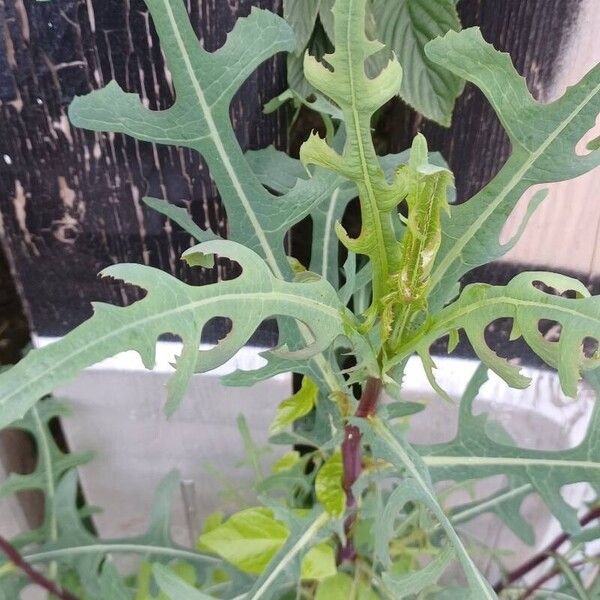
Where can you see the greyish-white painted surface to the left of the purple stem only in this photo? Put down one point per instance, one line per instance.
(117, 414)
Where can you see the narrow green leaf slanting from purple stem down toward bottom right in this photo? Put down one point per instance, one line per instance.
(417, 487)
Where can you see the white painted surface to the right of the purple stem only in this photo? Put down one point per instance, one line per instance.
(540, 417)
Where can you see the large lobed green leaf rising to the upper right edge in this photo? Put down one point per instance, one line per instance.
(543, 139)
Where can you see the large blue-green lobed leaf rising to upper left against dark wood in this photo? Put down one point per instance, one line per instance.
(205, 84)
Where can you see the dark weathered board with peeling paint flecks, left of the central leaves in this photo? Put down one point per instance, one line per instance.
(70, 200)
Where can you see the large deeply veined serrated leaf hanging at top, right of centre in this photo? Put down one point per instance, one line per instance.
(405, 27)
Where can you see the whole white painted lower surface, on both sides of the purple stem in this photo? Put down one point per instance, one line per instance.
(118, 415)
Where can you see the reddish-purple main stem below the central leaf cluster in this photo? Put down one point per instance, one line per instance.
(352, 459)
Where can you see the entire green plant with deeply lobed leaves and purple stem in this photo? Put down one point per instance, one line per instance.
(357, 514)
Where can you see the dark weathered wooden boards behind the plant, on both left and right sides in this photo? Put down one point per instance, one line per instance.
(70, 200)
